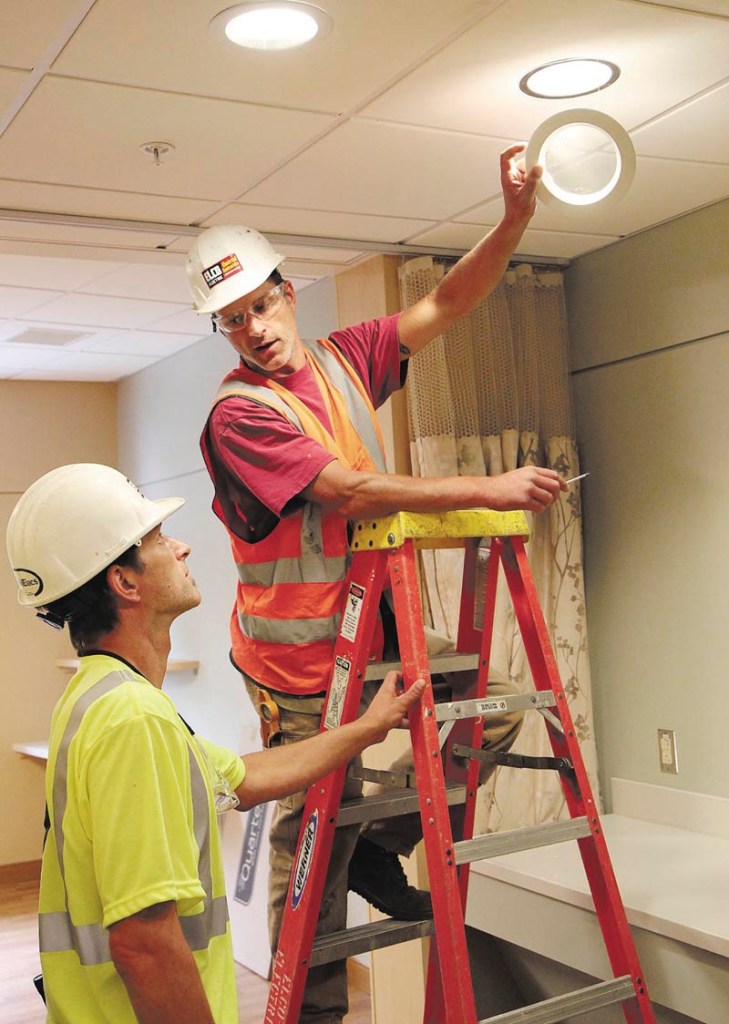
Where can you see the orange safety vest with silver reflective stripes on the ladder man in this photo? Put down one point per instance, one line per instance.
(291, 585)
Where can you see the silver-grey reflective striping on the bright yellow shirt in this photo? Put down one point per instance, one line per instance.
(57, 931)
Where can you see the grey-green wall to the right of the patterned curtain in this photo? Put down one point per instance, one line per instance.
(651, 326)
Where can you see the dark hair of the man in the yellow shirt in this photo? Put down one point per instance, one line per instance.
(92, 611)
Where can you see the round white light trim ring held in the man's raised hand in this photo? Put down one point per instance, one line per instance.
(587, 158)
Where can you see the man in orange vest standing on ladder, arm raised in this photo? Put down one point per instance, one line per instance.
(294, 452)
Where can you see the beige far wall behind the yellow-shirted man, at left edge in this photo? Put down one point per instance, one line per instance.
(45, 425)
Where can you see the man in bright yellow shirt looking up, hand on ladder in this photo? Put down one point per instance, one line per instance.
(133, 917)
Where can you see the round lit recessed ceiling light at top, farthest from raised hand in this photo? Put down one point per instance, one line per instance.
(271, 25)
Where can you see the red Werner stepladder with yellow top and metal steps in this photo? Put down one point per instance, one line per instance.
(384, 554)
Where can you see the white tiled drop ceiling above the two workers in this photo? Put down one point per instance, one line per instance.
(383, 137)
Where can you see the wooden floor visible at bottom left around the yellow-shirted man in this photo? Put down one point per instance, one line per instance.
(20, 1004)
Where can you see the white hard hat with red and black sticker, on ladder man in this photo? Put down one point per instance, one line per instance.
(227, 264)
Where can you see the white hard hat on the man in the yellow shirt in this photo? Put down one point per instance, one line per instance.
(72, 524)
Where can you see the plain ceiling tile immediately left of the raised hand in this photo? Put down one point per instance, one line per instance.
(352, 170)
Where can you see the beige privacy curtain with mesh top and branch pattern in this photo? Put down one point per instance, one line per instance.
(489, 397)
